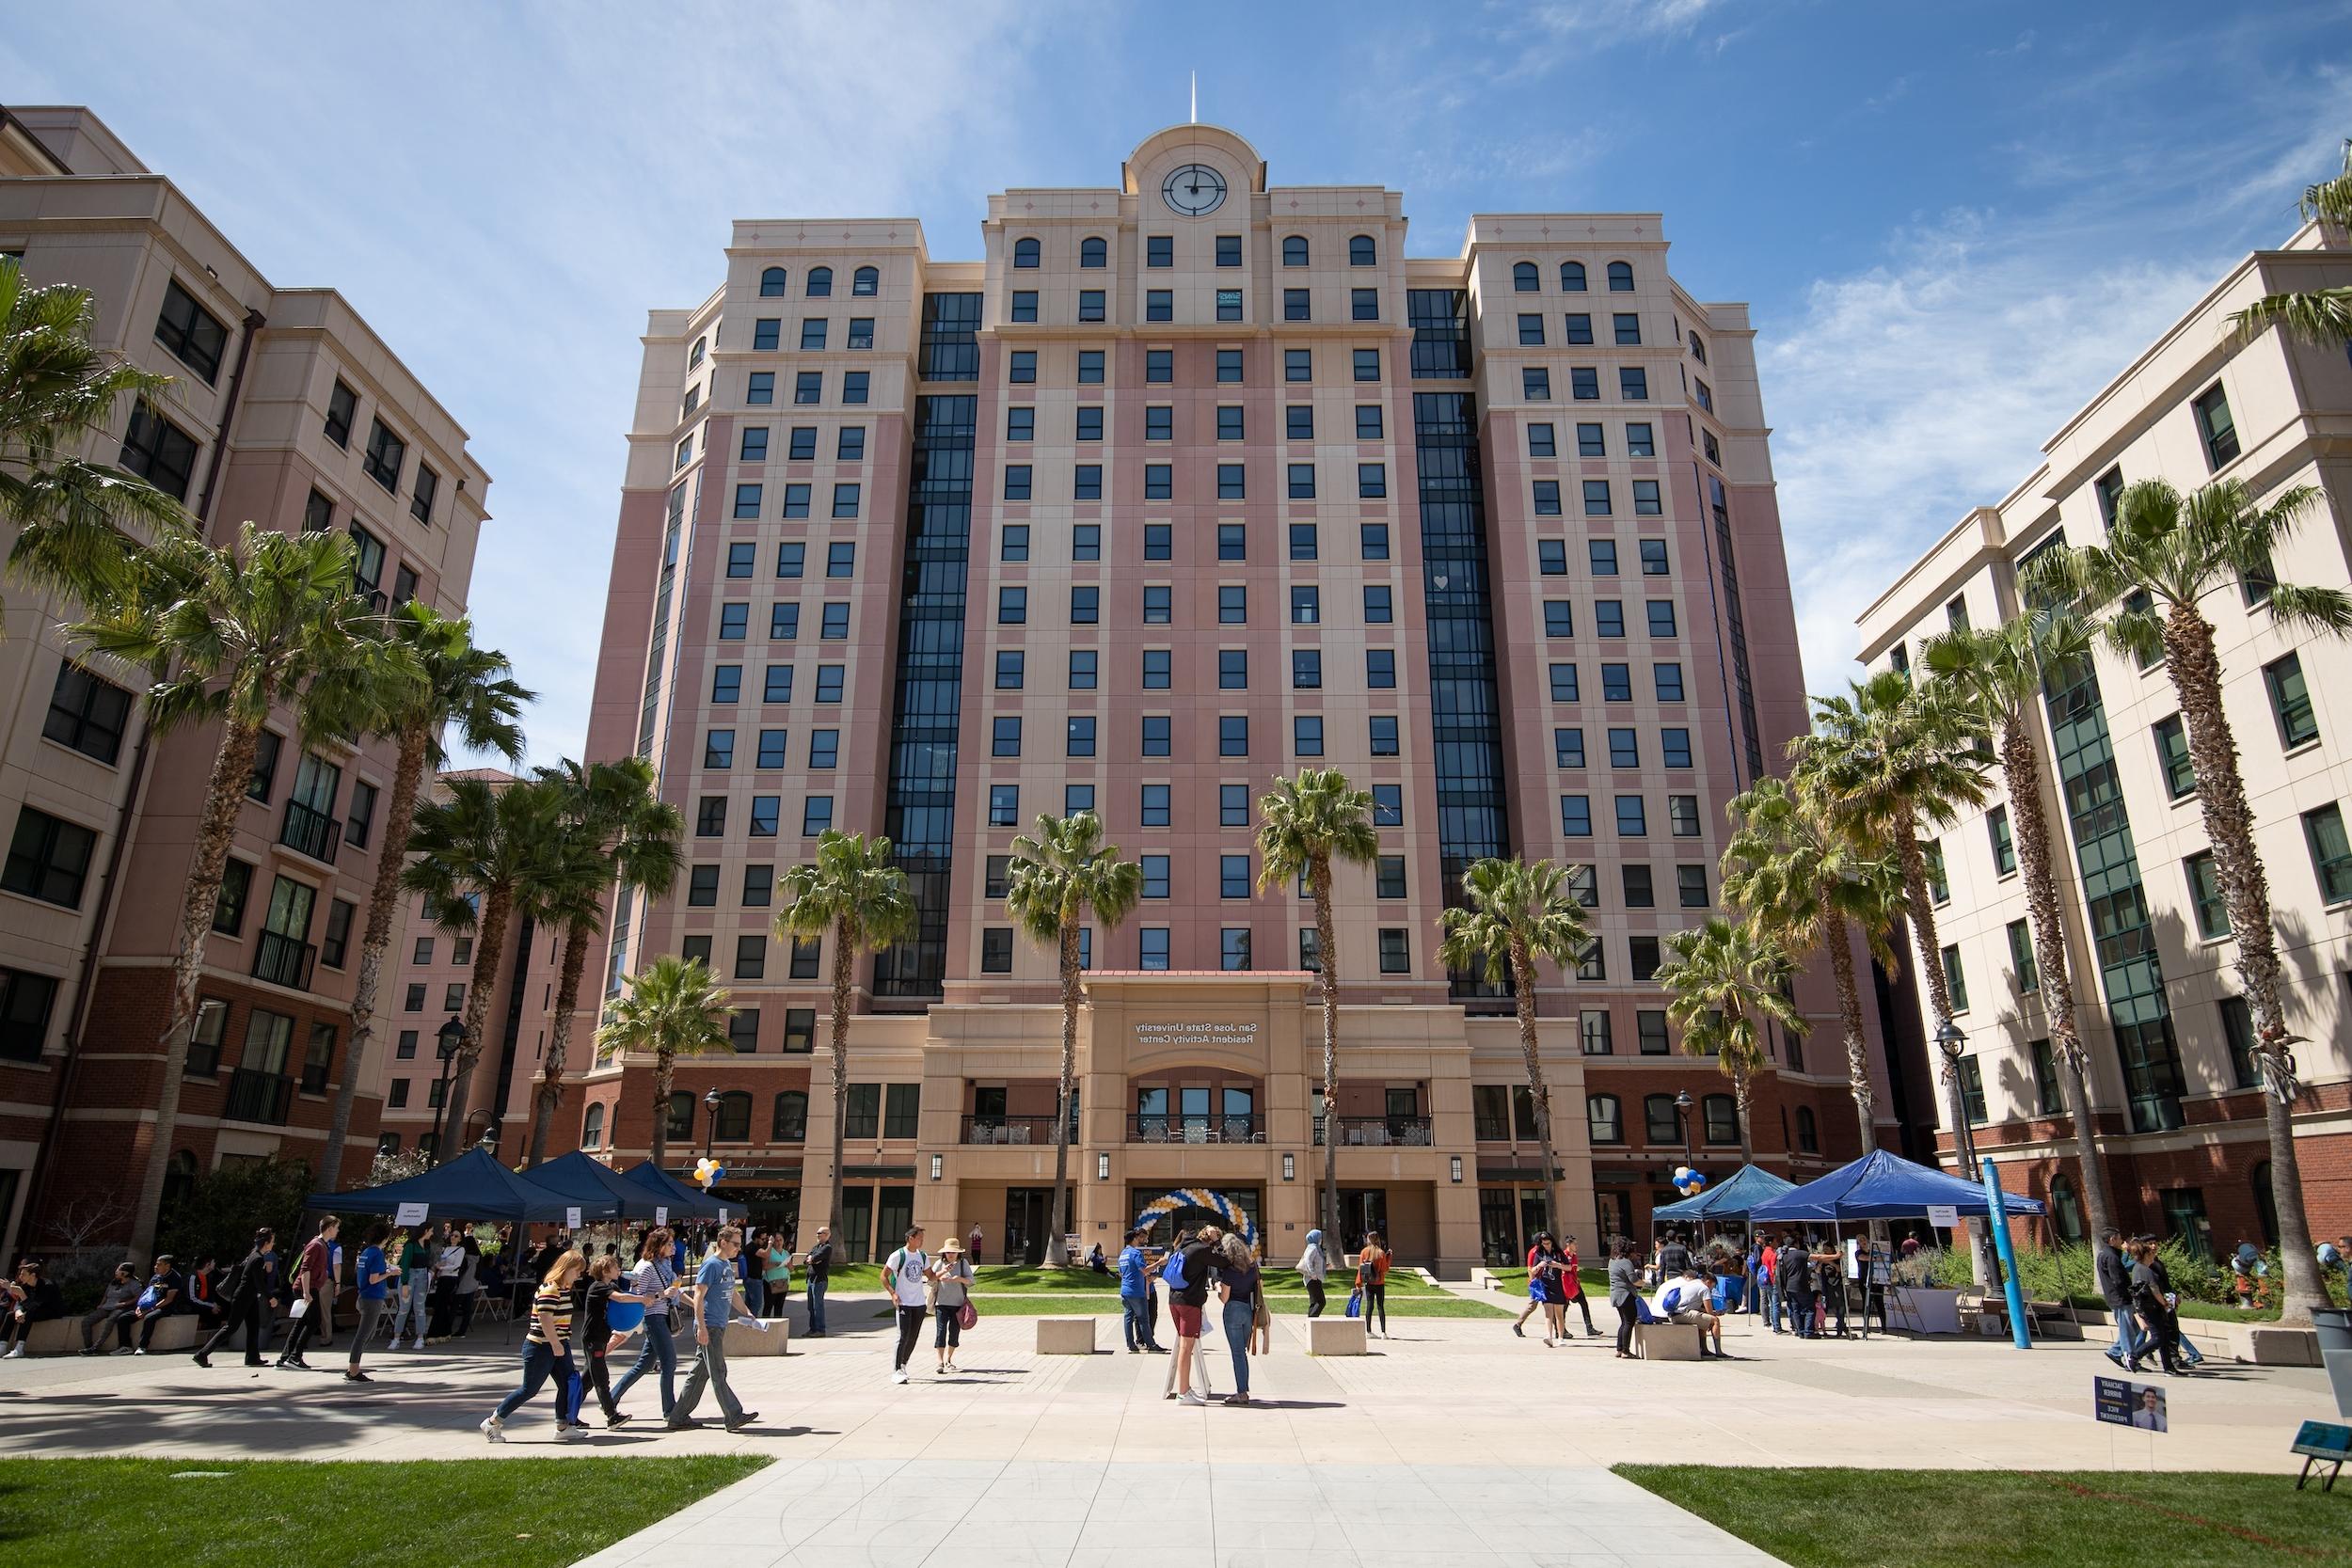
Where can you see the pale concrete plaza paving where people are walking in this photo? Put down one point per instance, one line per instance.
(1450, 1438)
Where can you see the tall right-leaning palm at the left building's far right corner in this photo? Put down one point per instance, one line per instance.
(460, 688)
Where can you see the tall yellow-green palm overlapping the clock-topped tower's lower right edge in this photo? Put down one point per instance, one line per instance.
(1812, 887)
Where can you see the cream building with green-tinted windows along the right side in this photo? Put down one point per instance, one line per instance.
(2149, 939)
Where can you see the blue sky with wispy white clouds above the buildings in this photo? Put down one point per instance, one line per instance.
(1953, 222)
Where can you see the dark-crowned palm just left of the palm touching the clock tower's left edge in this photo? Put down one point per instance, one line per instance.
(483, 857)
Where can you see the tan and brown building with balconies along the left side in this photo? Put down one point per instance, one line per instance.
(290, 413)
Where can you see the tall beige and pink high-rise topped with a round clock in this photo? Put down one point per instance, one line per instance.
(1187, 485)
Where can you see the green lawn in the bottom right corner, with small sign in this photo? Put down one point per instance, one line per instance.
(2019, 1520)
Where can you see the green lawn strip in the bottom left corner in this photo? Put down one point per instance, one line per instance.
(281, 1513)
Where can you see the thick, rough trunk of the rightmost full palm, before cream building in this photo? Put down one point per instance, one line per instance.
(2221, 798)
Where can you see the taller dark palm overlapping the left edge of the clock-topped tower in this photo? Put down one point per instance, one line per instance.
(617, 833)
